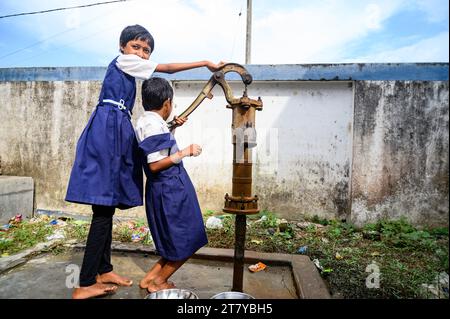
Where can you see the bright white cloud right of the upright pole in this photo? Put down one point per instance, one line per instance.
(319, 32)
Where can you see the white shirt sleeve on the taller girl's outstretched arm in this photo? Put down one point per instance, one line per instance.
(135, 66)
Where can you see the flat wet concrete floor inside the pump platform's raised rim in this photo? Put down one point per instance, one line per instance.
(47, 276)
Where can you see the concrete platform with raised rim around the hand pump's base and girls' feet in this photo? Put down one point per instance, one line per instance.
(210, 272)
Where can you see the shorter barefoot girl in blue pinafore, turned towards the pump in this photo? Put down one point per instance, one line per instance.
(171, 204)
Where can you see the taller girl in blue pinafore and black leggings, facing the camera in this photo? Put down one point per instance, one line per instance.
(107, 172)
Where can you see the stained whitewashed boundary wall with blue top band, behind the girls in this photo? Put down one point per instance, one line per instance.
(350, 141)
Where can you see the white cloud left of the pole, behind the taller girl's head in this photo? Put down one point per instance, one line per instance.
(182, 31)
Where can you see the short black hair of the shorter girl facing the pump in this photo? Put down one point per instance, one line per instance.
(155, 91)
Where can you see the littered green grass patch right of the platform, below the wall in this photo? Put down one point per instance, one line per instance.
(407, 257)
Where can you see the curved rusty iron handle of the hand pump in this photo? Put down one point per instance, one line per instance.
(219, 78)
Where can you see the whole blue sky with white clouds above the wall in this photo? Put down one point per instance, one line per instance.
(283, 31)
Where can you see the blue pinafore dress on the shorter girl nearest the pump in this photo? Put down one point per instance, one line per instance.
(173, 212)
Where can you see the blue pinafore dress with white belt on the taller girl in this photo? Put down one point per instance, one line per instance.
(107, 170)
